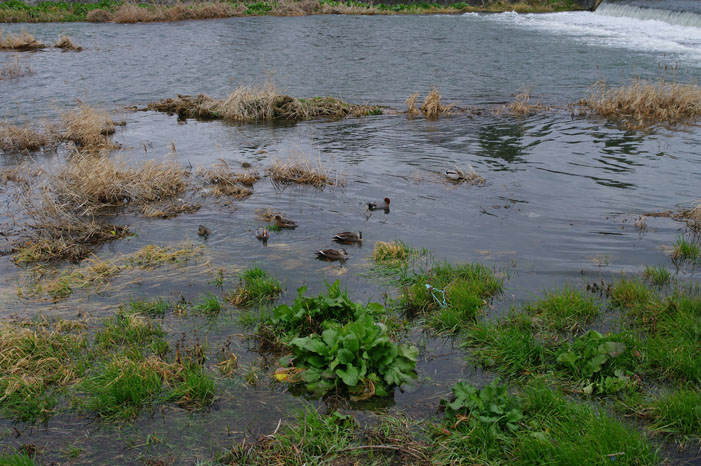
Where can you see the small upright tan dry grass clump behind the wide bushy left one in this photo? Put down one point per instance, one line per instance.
(88, 127)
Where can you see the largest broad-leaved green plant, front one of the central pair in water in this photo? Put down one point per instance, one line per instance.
(357, 358)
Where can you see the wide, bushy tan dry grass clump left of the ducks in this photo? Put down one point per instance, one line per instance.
(89, 184)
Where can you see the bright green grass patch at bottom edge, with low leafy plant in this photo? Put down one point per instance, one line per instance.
(551, 430)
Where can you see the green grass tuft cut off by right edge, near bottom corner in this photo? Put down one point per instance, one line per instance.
(678, 412)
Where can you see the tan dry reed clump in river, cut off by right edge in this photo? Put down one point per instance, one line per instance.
(642, 103)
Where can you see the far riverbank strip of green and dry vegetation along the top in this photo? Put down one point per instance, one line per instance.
(16, 11)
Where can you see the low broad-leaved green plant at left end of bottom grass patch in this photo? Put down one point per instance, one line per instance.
(492, 405)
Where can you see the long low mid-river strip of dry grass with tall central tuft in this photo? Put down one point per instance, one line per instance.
(263, 102)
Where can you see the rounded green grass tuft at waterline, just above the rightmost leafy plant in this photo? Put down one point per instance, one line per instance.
(564, 310)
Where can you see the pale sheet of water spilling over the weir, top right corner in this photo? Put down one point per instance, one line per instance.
(679, 12)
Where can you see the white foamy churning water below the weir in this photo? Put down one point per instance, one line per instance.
(680, 43)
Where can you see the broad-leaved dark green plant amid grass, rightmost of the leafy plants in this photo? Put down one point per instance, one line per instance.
(598, 361)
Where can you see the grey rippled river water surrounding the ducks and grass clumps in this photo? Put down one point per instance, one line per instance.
(559, 205)
